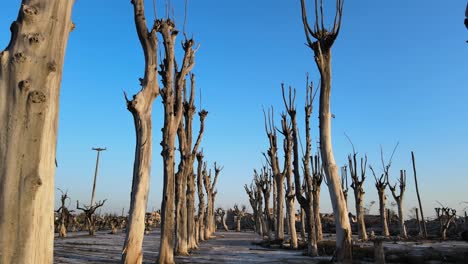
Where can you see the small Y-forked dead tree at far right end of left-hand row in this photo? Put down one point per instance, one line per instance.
(211, 194)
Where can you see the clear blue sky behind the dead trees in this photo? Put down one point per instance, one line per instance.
(400, 71)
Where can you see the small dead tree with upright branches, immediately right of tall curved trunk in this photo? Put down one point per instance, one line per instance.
(358, 186)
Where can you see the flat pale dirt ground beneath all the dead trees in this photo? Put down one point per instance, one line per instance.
(233, 247)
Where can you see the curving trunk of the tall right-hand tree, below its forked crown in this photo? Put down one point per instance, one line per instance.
(343, 228)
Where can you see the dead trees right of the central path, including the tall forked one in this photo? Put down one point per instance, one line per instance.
(301, 175)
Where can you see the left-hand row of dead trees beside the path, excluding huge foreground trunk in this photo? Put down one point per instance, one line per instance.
(182, 228)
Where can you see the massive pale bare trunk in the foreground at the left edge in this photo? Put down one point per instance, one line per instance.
(30, 77)
